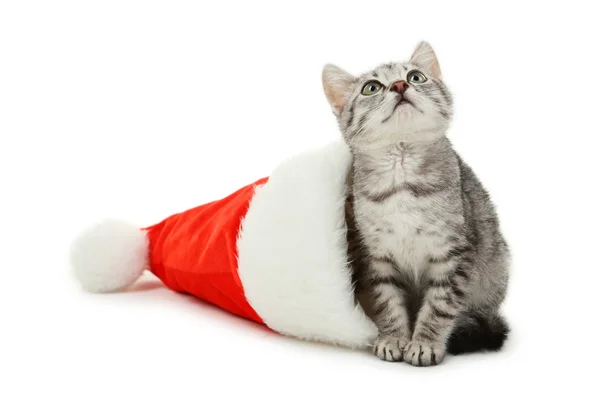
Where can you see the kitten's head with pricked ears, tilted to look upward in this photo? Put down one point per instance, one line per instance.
(396, 102)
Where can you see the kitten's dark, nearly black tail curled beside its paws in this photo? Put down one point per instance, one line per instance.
(479, 333)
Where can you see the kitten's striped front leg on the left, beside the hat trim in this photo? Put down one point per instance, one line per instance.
(390, 313)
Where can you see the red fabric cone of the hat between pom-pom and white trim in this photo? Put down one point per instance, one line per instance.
(195, 251)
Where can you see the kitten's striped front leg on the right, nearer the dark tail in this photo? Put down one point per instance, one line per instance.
(442, 303)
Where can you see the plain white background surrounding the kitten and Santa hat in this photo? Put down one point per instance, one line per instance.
(140, 109)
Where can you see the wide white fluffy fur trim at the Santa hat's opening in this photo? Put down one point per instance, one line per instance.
(292, 251)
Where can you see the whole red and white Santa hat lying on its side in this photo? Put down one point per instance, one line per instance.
(274, 252)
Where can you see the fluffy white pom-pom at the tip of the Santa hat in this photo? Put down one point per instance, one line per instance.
(109, 256)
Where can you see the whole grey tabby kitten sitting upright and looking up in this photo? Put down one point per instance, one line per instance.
(431, 261)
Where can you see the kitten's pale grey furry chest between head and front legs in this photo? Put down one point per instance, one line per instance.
(406, 204)
